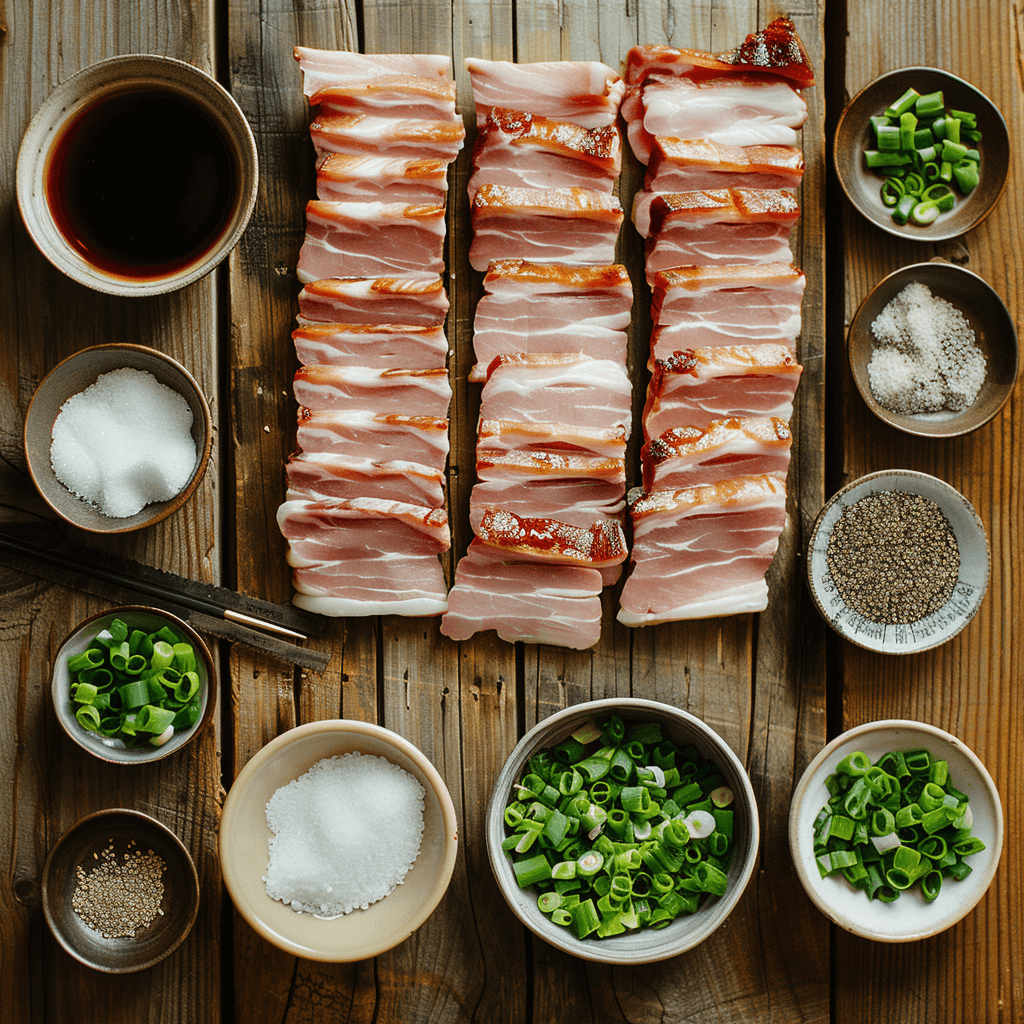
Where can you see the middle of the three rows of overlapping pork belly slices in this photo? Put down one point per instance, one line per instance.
(550, 350)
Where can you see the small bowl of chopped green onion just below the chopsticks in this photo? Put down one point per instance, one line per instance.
(134, 685)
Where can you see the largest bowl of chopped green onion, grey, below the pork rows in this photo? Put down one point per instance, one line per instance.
(623, 831)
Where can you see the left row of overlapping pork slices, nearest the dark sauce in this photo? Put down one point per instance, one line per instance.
(364, 516)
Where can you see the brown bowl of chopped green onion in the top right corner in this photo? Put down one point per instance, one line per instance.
(922, 154)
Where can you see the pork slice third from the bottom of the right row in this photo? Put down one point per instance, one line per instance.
(695, 388)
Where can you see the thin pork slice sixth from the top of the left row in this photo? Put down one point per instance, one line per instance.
(419, 300)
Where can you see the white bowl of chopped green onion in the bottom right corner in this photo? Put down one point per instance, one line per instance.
(897, 830)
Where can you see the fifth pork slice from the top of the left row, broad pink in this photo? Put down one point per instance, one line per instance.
(371, 240)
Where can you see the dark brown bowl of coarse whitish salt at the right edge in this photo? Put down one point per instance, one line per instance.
(933, 351)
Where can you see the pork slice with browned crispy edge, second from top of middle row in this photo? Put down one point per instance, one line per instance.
(518, 149)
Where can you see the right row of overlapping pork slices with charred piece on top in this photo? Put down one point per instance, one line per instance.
(718, 135)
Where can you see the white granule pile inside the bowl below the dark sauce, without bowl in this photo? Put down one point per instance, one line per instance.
(123, 443)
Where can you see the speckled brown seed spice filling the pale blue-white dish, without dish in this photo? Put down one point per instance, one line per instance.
(893, 558)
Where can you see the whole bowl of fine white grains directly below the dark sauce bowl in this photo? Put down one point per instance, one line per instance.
(118, 438)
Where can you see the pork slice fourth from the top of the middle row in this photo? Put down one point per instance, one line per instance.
(538, 308)
